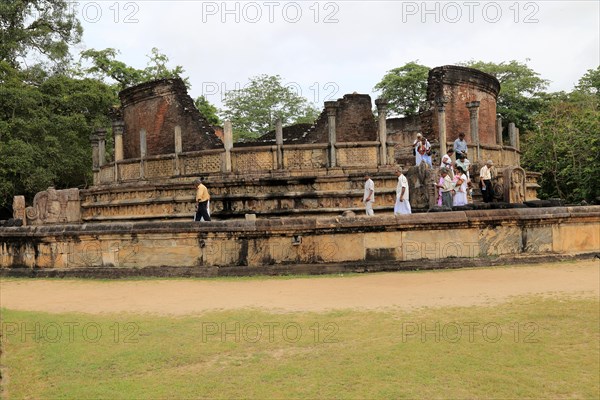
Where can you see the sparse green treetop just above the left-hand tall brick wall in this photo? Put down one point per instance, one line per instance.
(105, 65)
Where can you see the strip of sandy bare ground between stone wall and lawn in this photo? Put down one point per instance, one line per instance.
(404, 290)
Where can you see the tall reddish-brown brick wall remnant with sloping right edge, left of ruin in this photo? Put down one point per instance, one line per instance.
(159, 108)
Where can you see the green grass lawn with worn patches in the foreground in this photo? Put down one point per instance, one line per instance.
(531, 347)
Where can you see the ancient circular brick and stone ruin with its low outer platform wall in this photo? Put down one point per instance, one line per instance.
(137, 216)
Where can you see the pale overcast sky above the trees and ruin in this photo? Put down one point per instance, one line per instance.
(328, 48)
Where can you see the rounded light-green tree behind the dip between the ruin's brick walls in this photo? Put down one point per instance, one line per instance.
(254, 109)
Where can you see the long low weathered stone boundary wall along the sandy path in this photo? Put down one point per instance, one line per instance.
(307, 245)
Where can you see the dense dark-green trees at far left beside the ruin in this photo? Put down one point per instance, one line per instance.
(44, 131)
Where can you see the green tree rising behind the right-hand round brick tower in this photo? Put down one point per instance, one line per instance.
(521, 94)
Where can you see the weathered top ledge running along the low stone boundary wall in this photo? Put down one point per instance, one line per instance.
(378, 223)
